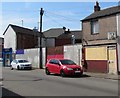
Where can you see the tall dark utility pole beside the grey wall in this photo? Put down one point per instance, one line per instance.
(40, 40)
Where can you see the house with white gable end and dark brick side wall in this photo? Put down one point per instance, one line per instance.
(20, 38)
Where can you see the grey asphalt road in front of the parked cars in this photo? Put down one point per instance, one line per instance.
(36, 83)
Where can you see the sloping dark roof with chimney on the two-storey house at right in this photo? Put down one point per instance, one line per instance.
(102, 13)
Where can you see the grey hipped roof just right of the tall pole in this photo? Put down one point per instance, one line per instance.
(53, 33)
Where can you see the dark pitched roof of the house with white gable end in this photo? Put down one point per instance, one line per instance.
(23, 30)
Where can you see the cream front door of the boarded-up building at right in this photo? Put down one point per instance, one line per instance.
(112, 60)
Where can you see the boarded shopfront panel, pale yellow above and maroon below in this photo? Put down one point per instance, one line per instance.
(96, 59)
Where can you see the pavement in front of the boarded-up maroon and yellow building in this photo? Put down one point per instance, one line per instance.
(103, 75)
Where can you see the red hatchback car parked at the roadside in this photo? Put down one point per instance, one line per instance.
(64, 67)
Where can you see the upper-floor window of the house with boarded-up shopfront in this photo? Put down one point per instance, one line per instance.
(94, 27)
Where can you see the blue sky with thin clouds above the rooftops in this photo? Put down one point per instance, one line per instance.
(56, 14)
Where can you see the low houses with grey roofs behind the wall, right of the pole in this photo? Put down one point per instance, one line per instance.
(59, 37)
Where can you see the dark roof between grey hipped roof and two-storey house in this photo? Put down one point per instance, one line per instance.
(77, 34)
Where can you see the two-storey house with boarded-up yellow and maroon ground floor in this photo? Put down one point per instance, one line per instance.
(101, 43)
